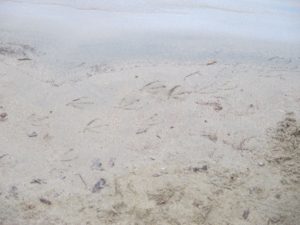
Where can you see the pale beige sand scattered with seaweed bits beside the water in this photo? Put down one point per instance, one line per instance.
(149, 142)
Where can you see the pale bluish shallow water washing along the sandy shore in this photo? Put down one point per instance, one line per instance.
(75, 31)
